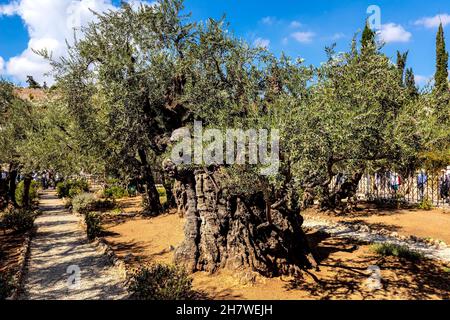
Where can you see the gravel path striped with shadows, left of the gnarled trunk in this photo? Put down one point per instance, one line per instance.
(58, 251)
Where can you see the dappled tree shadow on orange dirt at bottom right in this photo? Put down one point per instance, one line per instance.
(346, 278)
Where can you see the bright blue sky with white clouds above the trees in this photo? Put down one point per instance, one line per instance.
(299, 28)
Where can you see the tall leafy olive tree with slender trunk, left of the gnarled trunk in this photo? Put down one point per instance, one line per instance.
(123, 85)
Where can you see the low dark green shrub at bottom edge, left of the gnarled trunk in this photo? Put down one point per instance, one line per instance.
(161, 282)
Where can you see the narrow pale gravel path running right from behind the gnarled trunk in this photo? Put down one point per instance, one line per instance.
(360, 231)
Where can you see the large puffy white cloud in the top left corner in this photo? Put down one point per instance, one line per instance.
(49, 24)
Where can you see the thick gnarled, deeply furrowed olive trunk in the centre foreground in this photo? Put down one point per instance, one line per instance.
(226, 231)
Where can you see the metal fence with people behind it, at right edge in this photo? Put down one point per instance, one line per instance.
(390, 185)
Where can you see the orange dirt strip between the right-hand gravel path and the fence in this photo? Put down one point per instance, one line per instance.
(425, 224)
